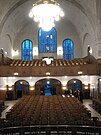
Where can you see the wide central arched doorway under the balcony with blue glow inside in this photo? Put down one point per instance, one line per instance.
(48, 87)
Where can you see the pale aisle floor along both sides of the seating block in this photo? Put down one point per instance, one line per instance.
(9, 105)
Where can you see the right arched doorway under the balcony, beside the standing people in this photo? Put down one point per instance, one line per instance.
(75, 88)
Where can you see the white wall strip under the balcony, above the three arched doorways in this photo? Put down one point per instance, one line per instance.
(93, 80)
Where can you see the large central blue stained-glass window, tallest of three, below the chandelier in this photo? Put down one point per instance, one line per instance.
(47, 41)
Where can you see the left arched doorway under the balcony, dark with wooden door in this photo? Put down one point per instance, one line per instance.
(21, 88)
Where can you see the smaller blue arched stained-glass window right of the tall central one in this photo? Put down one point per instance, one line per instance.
(68, 49)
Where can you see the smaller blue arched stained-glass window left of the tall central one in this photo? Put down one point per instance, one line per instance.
(27, 50)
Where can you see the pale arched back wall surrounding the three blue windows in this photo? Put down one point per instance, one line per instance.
(64, 30)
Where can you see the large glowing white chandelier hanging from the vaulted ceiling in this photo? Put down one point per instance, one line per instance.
(46, 12)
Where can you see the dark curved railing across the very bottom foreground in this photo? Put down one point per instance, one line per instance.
(51, 130)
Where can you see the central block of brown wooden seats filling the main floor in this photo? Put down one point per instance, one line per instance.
(53, 110)
